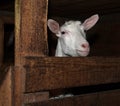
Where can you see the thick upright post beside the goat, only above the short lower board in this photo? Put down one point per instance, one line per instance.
(31, 28)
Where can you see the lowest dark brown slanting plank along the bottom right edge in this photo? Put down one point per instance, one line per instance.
(106, 98)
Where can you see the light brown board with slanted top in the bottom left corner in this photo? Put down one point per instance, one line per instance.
(6, 89)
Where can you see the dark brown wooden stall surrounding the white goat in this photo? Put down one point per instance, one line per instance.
(35, 76)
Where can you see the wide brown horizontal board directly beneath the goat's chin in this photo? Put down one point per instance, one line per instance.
(53, 73)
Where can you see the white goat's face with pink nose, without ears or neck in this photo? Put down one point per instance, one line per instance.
(73, 39)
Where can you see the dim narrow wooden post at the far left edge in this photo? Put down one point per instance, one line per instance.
(1, 41)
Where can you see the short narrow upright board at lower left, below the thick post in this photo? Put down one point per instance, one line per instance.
(19, 81)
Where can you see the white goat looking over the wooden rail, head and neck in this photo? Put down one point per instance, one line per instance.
(72, 37)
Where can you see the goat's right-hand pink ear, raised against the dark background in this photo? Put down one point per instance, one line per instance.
(90, 22)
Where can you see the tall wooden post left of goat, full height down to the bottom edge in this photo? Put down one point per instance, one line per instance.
(30, 39)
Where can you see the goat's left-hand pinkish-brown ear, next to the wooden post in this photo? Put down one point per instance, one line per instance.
(53, 26)
